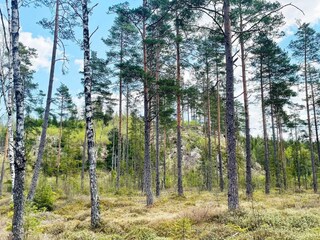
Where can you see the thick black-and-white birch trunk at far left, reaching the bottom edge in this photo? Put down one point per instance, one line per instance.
(20, 159)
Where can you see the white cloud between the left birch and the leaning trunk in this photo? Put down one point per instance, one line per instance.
(42, 45)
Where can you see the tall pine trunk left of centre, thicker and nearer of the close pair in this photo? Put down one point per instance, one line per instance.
(147, 160)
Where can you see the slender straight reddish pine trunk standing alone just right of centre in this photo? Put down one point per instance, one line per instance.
(178, 80)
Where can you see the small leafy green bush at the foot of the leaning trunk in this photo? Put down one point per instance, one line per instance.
(44, 197)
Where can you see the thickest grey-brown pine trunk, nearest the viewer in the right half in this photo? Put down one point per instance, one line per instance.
(233, 197)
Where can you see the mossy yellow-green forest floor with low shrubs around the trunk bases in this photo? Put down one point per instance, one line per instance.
(196, 216)
